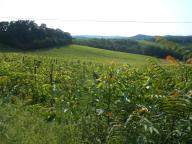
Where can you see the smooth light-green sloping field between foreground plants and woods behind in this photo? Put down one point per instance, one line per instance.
(84, 53)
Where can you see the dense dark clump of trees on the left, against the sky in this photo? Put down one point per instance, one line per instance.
(27, 35)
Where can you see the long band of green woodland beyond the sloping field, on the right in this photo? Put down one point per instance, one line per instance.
(156, 48)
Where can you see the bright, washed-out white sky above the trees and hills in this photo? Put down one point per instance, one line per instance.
(104, 17)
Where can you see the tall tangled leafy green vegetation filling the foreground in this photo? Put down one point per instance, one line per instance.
(54, 100)
